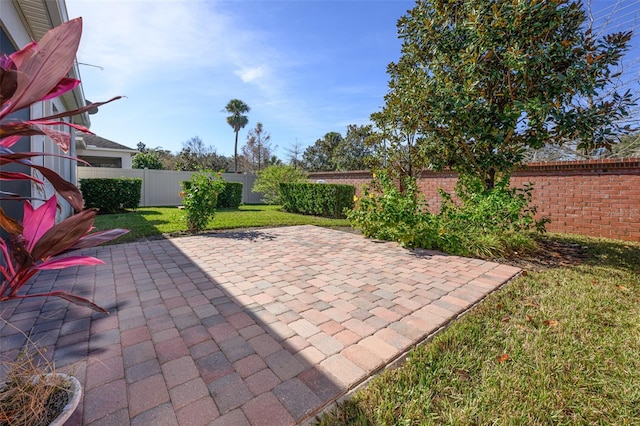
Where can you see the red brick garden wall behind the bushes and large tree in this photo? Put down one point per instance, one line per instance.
(597, 197)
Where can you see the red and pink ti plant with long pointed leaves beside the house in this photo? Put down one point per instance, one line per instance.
(36, 73)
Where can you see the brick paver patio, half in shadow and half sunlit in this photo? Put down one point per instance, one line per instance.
(261, 327)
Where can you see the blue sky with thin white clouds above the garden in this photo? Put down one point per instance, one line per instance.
(304, 67)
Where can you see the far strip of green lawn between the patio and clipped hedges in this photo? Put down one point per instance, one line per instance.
(153, 221)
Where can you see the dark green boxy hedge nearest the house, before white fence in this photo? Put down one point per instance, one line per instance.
(111, 195)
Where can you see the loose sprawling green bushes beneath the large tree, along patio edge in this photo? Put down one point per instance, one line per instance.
(484, 223)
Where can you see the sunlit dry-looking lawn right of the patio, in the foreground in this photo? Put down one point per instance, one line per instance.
(555, 346)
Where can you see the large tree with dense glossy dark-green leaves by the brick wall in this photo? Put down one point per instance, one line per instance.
(480, 81)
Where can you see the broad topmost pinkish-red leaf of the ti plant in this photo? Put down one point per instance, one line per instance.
(41, 66)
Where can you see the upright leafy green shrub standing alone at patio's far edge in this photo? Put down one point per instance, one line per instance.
(201, 198)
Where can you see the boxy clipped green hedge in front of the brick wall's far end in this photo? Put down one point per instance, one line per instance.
(328, 200)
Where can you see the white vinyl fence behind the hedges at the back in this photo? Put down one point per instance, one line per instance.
(161, 187)
